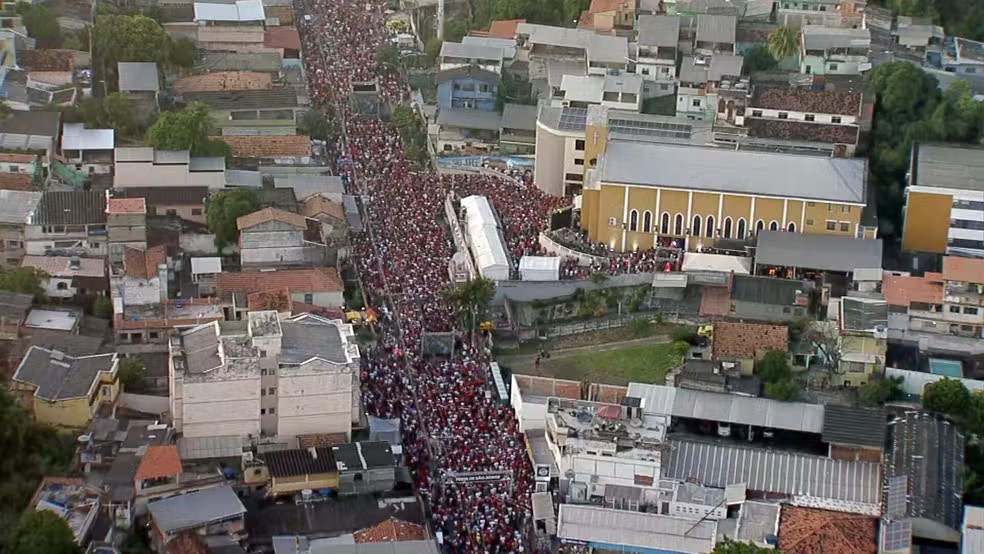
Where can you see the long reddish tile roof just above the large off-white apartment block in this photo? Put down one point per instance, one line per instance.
(322, 279)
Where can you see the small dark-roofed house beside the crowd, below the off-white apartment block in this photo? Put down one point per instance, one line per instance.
(365, 467)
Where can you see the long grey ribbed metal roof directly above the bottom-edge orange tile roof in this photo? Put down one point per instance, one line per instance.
(816, 480)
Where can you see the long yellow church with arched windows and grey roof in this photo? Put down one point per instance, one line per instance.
(702, 194)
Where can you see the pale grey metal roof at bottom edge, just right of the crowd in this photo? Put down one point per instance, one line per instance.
(606, 526)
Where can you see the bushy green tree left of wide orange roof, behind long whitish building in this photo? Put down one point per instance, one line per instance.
(189, 129)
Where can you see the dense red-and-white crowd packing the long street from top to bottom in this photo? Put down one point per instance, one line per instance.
(449, 424)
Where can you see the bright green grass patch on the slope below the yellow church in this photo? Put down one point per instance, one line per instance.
(642, 364)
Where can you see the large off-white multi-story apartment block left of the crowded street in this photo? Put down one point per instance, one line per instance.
(270, 375)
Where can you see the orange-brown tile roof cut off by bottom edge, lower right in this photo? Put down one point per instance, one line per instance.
(812, 531)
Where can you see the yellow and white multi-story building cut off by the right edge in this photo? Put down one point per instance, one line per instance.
(944, 200)
